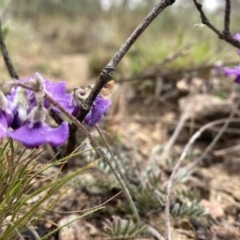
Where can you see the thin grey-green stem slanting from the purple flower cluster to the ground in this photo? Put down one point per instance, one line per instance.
(98, 148)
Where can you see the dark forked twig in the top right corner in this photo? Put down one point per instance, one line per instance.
(222, 35)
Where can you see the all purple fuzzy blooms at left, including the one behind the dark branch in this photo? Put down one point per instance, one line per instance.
(25, 114)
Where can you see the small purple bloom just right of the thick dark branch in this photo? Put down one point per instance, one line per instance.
(99, 108)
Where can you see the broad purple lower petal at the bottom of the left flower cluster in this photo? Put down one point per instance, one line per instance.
(39, 134)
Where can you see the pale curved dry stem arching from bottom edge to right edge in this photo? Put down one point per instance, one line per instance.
(180, 160)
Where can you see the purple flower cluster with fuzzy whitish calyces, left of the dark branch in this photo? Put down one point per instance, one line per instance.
(30, 110)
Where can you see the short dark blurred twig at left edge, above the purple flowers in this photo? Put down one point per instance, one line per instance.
(6, 57)
